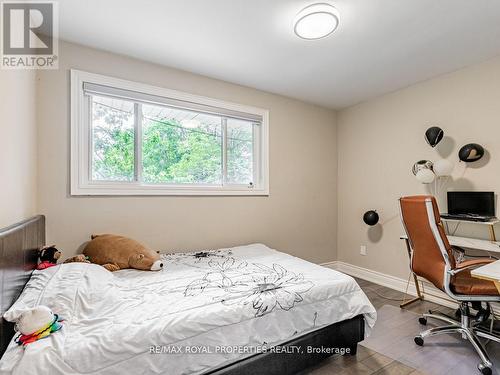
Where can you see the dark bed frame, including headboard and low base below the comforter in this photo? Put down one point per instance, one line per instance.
(19, 246)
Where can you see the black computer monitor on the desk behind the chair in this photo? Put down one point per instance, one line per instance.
(481, 203)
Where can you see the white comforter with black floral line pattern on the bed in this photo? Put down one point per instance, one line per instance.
(222, 304)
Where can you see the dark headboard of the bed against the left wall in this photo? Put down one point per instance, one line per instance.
(18, 258)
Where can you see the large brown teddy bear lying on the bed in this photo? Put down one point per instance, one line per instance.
(117, 252)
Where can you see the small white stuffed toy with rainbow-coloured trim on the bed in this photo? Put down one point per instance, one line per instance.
(35, 324)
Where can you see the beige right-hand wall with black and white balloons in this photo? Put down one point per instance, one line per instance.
(378, 142)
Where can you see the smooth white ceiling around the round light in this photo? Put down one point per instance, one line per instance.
(380, 46)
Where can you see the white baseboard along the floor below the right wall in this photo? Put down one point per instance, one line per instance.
(431, 293)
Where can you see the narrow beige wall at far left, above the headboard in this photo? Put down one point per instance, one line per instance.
(18, 146)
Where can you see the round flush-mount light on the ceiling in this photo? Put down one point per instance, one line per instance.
(316, 21)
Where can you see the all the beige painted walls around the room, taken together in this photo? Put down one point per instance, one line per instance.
(378, 141)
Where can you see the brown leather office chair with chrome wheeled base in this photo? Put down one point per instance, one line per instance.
(432, 258)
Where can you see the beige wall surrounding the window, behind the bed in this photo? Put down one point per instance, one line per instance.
(299, 217)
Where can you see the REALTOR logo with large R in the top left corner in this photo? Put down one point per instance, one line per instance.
(29, 35)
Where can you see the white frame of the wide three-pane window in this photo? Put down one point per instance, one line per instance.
(81, 183)
